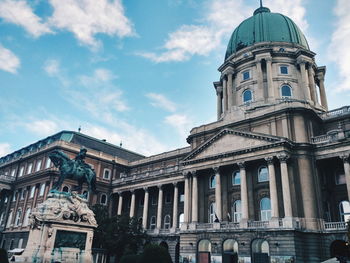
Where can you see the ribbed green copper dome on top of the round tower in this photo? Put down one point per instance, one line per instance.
(265, 26)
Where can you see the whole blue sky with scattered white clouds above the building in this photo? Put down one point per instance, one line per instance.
(137, 71)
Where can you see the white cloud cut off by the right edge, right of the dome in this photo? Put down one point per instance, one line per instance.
(339, 47)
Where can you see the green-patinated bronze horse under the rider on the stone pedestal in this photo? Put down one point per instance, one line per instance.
(72, 169)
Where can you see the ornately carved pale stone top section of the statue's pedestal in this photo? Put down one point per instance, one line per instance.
(61, 206)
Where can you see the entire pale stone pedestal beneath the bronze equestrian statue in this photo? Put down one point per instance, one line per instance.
(61, 230)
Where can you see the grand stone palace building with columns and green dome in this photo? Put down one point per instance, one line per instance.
(269, 181)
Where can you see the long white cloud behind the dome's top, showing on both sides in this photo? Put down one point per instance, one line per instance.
(220, 18)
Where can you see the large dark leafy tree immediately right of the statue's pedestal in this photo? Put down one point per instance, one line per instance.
(119, 235)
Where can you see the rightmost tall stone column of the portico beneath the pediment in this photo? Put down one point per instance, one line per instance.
(287, 202)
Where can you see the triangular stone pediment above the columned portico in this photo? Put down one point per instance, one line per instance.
(229, 141)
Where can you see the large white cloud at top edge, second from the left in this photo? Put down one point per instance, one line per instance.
(86, 18)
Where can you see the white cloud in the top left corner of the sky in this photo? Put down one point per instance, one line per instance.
(20, 13)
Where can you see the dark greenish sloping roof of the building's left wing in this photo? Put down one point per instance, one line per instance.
(76, 138)
